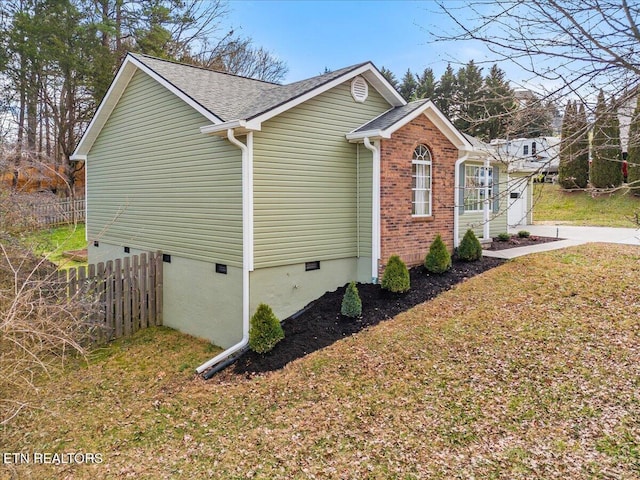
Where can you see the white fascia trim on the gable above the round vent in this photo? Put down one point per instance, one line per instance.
(367, 70)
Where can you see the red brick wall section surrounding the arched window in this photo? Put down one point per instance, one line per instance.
(402, 234)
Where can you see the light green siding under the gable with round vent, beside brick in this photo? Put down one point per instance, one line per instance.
(305, 180)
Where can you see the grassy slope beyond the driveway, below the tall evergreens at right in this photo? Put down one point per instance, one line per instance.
(553, 204)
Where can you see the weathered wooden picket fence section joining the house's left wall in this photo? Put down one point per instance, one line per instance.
(125, 294)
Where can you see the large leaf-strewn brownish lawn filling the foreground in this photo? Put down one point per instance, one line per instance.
(530, 370)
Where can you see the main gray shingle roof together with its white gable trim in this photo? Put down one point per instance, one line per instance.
(226, 100)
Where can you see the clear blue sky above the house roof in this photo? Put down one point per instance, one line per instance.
(311, 35)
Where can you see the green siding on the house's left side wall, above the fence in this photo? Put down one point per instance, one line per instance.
(155, 182)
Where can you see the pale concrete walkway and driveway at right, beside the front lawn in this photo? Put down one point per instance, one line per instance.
(572, 235)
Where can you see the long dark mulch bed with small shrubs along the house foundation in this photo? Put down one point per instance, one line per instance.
(321, 323)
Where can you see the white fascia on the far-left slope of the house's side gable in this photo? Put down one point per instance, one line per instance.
(109, 102)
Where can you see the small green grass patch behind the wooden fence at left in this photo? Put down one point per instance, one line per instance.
(52, 242)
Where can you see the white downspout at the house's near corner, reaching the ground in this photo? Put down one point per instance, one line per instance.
(247, 245)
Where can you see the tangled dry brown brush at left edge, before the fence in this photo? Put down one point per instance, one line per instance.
(39, 328)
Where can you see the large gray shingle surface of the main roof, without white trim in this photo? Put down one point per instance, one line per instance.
(231, 97)
